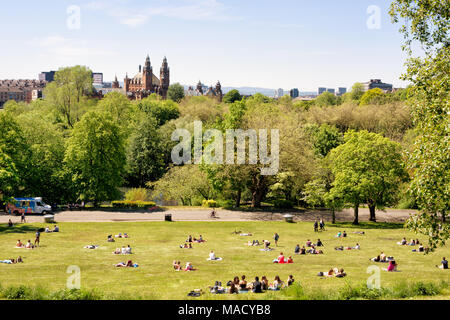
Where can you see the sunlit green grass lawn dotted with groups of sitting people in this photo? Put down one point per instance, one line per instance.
(156, 245)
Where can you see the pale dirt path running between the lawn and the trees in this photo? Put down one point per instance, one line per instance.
(203, 215)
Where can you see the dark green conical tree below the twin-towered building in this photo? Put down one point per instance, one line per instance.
(145, 155)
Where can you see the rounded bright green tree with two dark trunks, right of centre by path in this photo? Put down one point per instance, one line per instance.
(367, 169)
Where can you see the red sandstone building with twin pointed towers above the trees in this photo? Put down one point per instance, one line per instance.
(146, 83)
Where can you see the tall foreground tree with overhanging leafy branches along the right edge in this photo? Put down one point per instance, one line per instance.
(428, 23)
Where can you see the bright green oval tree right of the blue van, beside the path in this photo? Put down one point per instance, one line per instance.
(95, 157)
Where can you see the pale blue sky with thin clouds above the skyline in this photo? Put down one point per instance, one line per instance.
(273, 44)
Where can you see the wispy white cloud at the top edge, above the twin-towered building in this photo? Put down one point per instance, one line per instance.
(131, 15)
